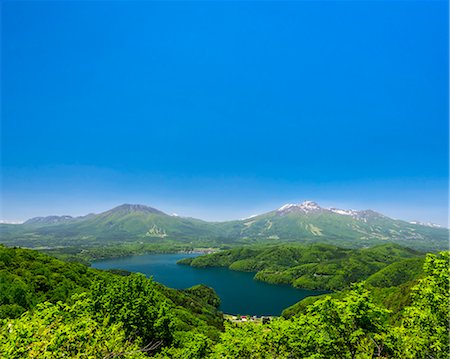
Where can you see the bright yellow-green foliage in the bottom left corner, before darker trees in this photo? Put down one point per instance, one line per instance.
(62, 331)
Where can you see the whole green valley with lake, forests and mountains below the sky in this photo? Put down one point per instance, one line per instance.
(322, 275)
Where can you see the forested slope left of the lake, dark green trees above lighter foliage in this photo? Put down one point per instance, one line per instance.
(132, 309)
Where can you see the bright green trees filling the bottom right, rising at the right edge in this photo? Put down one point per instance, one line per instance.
(351, 324)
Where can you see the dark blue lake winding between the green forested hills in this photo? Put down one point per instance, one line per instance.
(239, 293)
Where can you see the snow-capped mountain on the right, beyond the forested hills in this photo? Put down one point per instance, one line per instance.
(309, 221)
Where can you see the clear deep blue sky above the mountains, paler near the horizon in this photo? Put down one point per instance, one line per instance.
(220, 110)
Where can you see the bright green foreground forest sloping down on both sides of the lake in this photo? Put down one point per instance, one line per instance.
(54, 309)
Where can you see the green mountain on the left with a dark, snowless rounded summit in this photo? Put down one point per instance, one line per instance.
(125, 223)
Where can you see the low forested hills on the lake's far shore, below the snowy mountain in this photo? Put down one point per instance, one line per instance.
(317, 266)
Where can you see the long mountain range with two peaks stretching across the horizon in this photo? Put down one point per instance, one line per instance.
(303, 222)
